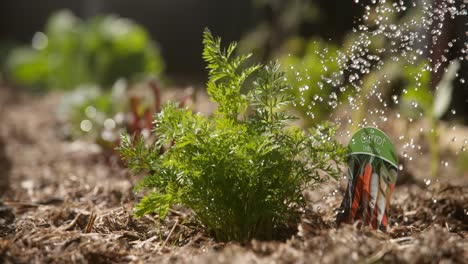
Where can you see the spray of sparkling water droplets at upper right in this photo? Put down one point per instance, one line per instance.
(389, 37)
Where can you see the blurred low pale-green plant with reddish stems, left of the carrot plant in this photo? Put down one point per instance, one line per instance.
(100, 116)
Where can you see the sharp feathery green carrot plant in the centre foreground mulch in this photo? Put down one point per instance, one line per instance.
(241, 171)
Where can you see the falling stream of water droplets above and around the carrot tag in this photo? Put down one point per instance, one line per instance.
(389, 38)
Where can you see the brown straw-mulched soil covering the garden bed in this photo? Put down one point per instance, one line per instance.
(62, 202)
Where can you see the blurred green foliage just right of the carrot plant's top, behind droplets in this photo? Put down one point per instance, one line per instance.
(313, 72)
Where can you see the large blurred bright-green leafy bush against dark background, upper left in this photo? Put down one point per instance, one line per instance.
(71, 52)
